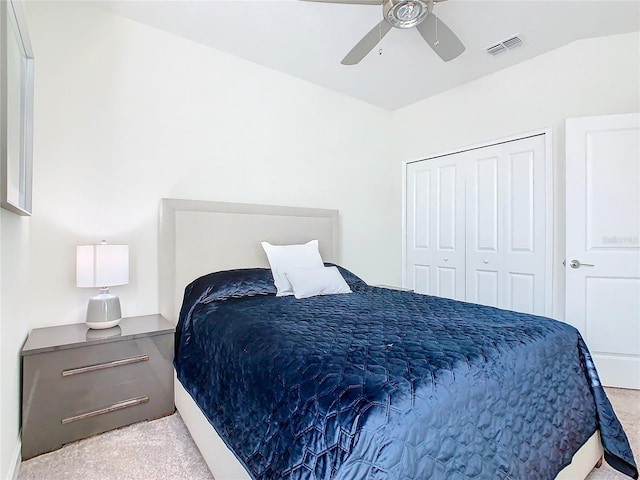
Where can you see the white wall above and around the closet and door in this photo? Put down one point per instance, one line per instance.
(589, 77)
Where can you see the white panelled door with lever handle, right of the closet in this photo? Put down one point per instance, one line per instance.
(603, 242)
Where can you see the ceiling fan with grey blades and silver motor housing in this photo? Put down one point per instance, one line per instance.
(404, 14)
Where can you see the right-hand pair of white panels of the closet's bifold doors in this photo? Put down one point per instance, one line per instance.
(505, 225)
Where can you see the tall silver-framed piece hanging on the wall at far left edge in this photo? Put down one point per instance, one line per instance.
(16, 109)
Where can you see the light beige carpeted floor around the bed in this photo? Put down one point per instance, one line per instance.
(163, 449)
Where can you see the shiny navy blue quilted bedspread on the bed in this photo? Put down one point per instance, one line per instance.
(386, 384)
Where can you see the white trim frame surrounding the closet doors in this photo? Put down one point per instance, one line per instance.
(549, 206)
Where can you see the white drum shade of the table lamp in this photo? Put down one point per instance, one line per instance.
(102, 265)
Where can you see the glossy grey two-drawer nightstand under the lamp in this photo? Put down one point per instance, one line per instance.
(77, 382)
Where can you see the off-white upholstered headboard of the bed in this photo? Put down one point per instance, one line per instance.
(200, 237)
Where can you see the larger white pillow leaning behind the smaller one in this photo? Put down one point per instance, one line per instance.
(285, 257)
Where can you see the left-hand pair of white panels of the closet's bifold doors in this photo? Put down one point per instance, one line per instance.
(435, 239)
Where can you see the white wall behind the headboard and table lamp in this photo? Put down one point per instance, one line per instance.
(126, 114)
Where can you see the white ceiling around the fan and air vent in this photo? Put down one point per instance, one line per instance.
(308, 40)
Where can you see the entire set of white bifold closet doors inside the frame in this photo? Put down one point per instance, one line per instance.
(476, 225)
